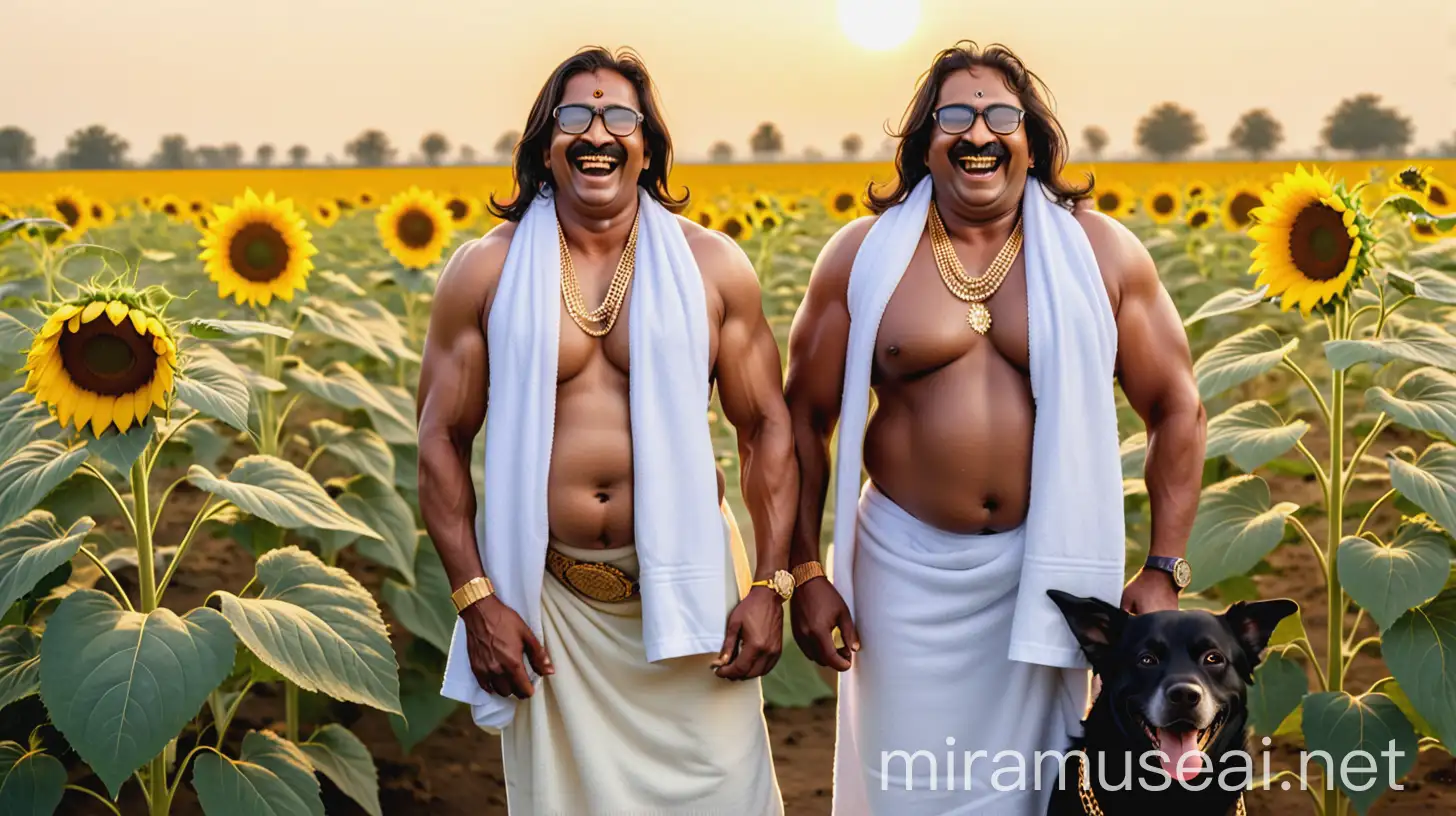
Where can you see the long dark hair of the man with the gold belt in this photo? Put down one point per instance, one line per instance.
(529, 168)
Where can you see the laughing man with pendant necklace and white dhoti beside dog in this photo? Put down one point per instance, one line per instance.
(989, 311)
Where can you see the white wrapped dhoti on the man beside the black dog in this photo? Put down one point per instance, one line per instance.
(933, 699)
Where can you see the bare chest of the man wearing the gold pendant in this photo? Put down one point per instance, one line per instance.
(924, 327)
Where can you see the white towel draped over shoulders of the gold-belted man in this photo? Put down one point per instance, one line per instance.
(678, 522)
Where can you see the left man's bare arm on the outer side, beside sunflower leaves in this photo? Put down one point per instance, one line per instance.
(454, 382)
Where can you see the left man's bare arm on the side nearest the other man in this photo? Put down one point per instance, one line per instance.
(751, 390)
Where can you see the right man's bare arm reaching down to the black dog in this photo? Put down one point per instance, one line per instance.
(1155, 369)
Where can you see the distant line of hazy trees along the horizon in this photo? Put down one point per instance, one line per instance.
(1361, 126)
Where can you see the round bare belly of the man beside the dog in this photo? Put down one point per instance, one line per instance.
(954, 448)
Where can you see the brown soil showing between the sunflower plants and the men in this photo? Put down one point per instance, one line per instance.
(458, 769)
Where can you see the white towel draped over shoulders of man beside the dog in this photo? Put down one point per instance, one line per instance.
(1075, 528)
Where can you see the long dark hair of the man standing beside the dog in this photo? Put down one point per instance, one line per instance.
(1049, 142)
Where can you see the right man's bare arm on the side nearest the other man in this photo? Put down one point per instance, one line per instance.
(819, 343)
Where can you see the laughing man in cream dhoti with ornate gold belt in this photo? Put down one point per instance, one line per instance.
(611, 629)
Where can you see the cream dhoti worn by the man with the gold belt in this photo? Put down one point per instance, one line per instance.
(612, 735)
